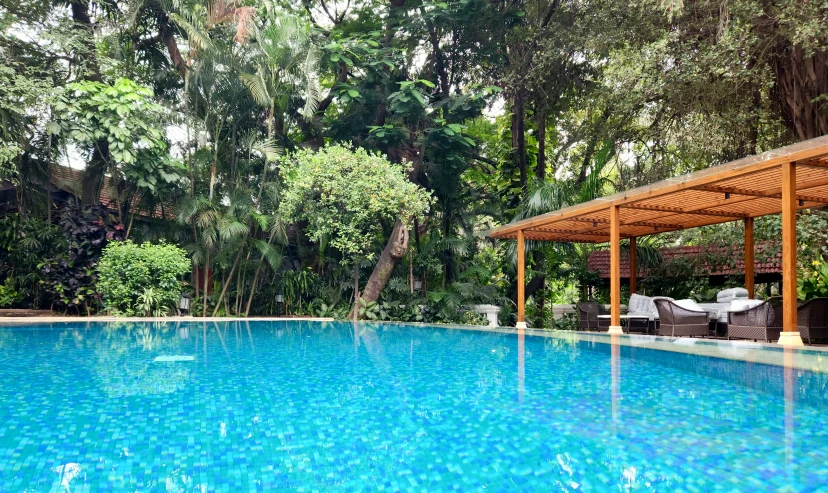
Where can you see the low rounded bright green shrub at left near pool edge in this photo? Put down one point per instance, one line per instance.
(141, 279)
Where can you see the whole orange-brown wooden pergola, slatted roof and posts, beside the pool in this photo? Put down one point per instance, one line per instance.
(779, 181)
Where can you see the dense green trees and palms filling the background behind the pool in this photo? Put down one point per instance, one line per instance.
(191, 120)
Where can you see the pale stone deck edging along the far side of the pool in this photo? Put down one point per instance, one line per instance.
(810, 358)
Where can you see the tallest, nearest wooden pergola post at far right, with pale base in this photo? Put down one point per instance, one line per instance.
(790, 333)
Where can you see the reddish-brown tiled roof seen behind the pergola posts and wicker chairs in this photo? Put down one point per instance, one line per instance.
(765, 263)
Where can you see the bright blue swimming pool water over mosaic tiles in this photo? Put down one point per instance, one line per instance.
(266, 406)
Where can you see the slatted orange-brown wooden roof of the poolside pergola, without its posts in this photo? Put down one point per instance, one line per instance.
(747, 188)
